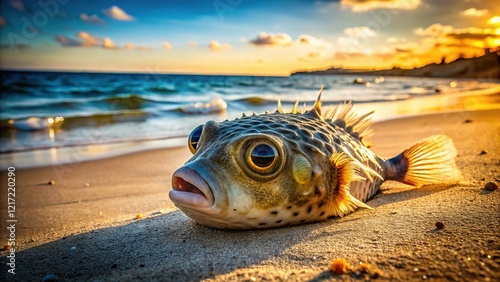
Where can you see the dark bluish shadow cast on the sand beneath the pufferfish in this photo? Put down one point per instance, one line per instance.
(173, 247)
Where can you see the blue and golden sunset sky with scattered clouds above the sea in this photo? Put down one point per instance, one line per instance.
(242, 36)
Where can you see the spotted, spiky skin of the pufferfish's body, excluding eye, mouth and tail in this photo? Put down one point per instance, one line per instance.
(246, 200)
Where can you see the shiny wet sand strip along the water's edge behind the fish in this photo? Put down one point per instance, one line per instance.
(430, 104)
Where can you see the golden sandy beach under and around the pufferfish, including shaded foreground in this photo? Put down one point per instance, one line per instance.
(88, 232)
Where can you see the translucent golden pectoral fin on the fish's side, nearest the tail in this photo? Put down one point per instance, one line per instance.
(347, 171)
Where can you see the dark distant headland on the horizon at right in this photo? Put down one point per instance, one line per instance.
(485, 67)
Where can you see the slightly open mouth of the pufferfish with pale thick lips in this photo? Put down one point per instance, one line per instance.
(189, 188)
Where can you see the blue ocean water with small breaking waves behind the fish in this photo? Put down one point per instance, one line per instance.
(109, 108)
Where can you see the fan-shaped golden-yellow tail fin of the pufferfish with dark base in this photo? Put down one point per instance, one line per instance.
(429, 161)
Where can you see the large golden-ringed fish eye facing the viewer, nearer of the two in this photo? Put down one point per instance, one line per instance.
(262, 157)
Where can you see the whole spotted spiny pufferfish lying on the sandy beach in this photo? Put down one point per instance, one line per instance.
(278, 169)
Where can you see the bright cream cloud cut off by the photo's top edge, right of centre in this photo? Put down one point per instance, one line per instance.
(358, 6)
